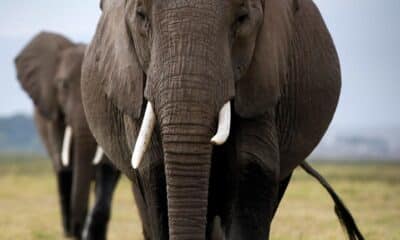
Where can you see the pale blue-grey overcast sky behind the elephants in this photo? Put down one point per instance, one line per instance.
(366, 33)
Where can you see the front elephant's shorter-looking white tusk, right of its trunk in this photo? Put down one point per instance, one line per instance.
(224, 125)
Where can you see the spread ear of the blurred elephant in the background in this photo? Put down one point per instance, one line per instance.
(36, 67)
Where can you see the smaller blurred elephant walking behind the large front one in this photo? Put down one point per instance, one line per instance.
(49, 70)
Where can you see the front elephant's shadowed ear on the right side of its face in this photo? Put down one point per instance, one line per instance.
(259, 88)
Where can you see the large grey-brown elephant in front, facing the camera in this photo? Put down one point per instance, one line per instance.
(208, 107)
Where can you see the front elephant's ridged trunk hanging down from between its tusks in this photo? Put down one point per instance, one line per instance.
(187, 156)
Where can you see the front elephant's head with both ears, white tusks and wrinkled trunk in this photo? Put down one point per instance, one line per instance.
(190, 64)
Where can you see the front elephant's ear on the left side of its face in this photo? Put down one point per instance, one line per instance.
(116, 63)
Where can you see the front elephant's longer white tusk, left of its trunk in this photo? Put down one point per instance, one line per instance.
(144, 137)
